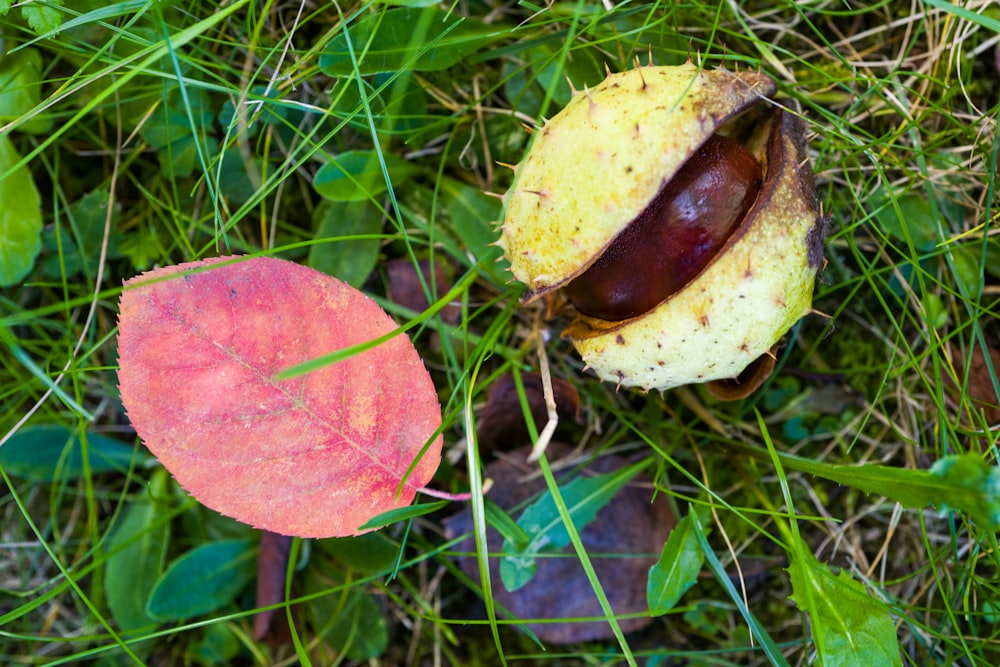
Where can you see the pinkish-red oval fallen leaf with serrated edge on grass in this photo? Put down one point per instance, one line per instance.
(314, 456)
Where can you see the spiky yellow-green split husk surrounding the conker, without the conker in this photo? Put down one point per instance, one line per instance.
(597, 164)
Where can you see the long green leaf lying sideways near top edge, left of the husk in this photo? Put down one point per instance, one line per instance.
(419, 39)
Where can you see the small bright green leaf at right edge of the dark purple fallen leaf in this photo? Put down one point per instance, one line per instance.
(678, 568)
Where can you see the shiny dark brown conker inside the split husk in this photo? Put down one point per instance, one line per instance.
(675, 237)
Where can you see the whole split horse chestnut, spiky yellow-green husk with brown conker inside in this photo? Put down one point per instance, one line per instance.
(674, 209)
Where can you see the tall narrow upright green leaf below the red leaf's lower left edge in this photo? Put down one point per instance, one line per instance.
(137, 548)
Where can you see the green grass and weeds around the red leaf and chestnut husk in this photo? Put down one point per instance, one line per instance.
(158, 133)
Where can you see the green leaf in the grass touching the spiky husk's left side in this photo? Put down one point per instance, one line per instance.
(474, 217)
